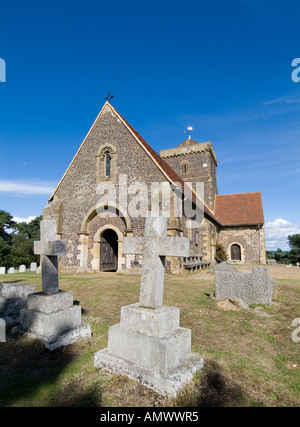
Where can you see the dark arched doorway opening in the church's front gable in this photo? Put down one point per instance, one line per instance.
(109, 251)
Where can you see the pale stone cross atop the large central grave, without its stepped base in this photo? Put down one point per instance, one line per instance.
(155, 246)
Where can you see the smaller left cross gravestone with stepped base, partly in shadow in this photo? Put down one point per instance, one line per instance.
(51, 315)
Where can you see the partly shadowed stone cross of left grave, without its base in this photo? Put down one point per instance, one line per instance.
(49, 248)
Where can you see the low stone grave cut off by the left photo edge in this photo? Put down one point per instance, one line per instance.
(13, 298)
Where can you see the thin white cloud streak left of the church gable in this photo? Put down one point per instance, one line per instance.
(18, 188)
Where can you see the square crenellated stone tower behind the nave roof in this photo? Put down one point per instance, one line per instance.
(195, 162)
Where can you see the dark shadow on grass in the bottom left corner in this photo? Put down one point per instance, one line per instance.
(31, 375)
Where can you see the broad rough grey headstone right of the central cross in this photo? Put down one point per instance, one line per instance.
(251, 288)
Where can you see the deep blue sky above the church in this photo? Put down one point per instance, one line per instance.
(222, 67)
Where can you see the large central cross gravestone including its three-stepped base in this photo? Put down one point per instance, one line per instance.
(148, 345)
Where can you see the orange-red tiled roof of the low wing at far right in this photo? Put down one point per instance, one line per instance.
(239, 209)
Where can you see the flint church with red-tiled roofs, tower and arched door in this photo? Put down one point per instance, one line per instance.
(113, 156)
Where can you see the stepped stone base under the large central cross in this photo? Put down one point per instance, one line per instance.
(149, 346)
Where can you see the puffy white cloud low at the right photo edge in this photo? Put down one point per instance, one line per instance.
(277, 231)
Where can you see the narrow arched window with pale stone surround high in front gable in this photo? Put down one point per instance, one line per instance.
(106, 160)
